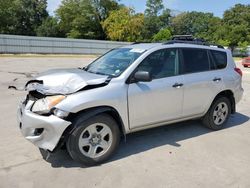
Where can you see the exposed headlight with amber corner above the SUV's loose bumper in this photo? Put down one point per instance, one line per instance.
(43, 106)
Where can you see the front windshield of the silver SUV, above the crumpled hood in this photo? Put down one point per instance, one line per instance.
(114, 62)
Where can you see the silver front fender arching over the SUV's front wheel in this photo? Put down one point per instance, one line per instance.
(112, 95)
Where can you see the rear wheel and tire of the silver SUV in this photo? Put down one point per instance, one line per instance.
(218, 114)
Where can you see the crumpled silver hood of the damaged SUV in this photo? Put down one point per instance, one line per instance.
(64, 81)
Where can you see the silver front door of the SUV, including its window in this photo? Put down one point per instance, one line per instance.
(161, 99)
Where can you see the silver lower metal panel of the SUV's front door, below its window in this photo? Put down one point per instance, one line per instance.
(155, 101)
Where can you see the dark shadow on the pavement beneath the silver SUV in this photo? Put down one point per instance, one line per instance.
(152, 138)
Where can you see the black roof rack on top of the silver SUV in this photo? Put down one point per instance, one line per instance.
(189, 39)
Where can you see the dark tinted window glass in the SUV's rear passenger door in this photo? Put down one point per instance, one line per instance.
(195, 60)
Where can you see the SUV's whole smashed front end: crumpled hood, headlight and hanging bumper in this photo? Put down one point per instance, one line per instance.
(40, 121)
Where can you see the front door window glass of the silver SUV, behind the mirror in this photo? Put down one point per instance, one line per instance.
(160, 64)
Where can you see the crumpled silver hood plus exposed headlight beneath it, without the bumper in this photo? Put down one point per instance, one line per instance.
(51, 87)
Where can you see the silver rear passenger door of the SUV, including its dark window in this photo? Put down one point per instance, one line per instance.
(202, 80)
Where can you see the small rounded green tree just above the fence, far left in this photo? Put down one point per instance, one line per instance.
(49, 28)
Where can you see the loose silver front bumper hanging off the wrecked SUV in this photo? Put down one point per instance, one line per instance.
(43, 131)
